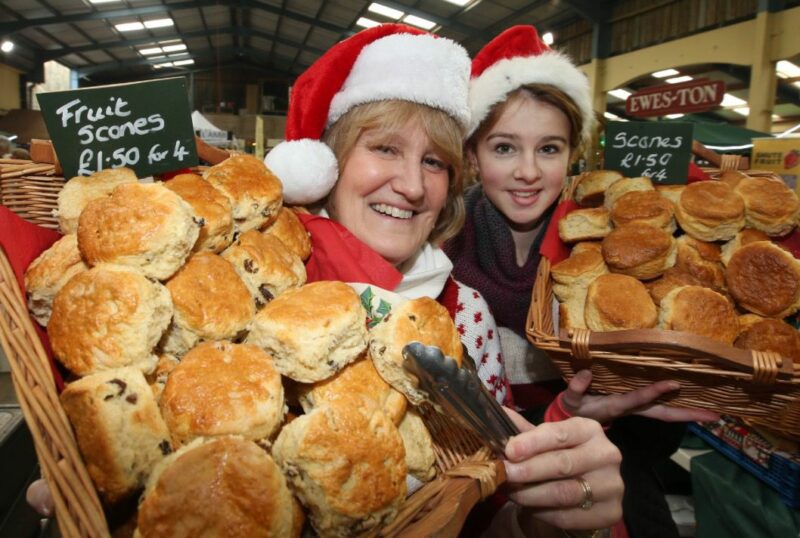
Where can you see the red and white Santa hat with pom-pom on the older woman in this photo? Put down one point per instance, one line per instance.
(391, 61)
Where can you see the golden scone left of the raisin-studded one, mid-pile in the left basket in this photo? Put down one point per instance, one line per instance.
(210, 298)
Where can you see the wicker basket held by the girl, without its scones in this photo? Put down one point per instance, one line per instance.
(758, 385)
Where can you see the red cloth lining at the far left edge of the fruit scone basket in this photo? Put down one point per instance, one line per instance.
(22, 242)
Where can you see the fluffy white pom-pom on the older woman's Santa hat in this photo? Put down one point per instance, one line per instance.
(307, 168)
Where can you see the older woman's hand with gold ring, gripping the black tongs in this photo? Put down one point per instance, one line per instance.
(547, 464)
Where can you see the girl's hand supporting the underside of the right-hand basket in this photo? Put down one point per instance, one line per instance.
(638, 402)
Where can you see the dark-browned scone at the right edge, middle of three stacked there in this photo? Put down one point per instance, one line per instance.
(764, 279)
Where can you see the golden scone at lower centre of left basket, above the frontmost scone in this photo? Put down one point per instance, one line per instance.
(220, 388)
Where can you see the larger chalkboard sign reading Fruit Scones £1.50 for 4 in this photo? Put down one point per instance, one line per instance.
(145, 126)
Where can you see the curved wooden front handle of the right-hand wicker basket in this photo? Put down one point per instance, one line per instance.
(765, 366)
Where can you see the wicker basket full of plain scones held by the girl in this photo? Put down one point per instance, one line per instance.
(691, 283)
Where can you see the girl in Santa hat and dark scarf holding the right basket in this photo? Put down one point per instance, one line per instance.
(531, 112)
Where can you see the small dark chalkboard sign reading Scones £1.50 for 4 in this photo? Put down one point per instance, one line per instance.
(658, 150)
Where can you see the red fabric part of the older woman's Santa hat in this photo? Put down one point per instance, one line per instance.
(313, 91)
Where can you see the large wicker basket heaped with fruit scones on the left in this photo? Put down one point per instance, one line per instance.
(208, 389)
